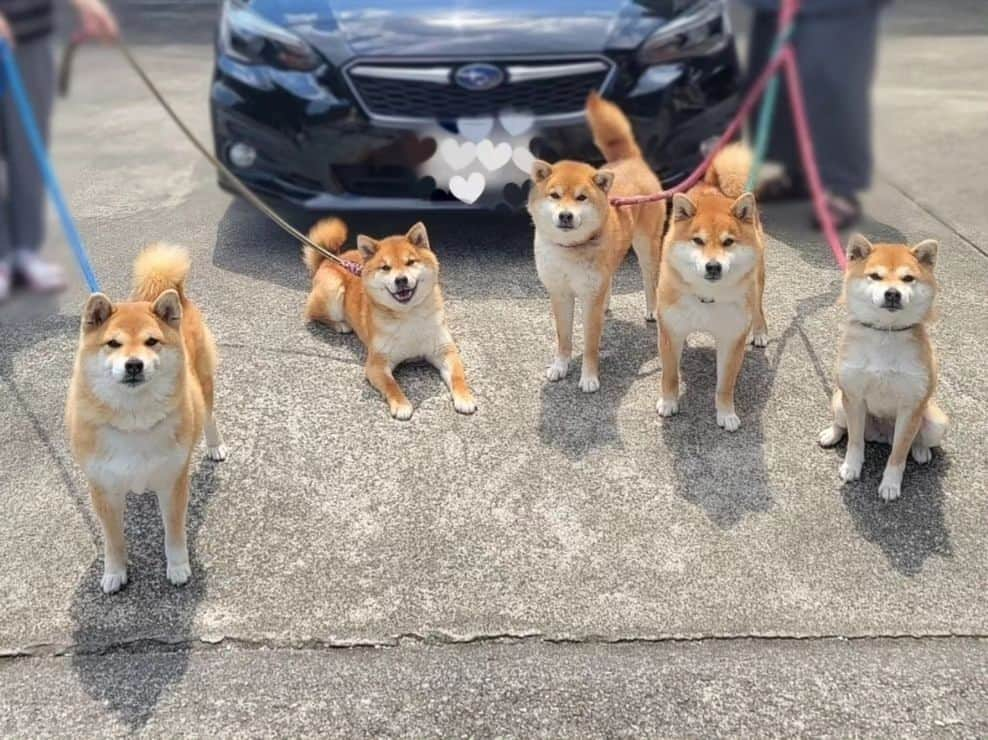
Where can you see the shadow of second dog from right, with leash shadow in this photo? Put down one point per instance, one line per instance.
(724, 473)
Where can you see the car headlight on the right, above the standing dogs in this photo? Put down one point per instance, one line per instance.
(702, 28)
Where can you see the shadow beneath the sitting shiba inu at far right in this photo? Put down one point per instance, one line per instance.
(910, 529)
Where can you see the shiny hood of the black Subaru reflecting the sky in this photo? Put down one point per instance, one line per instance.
(475, 28)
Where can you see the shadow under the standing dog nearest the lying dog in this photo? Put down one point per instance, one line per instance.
(576, 422)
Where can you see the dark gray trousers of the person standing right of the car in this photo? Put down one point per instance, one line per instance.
(837, 53)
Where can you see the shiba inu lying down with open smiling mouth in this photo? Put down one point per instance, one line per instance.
(395, 306)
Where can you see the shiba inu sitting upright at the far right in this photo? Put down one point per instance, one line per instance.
(887, 371)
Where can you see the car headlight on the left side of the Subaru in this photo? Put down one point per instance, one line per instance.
(250, 39)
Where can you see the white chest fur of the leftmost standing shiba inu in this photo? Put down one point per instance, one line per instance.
(135, 461)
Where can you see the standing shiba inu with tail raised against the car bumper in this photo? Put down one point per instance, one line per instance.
(581, 240)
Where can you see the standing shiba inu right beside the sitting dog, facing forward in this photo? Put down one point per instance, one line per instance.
(712, 279)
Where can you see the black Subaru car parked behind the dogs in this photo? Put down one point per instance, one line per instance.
(349, 104)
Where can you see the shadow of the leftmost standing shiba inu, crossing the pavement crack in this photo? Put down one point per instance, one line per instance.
(165, 612)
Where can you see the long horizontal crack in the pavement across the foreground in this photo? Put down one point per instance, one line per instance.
(143, 645)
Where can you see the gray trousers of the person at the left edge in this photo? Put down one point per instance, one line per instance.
(22, 197)
